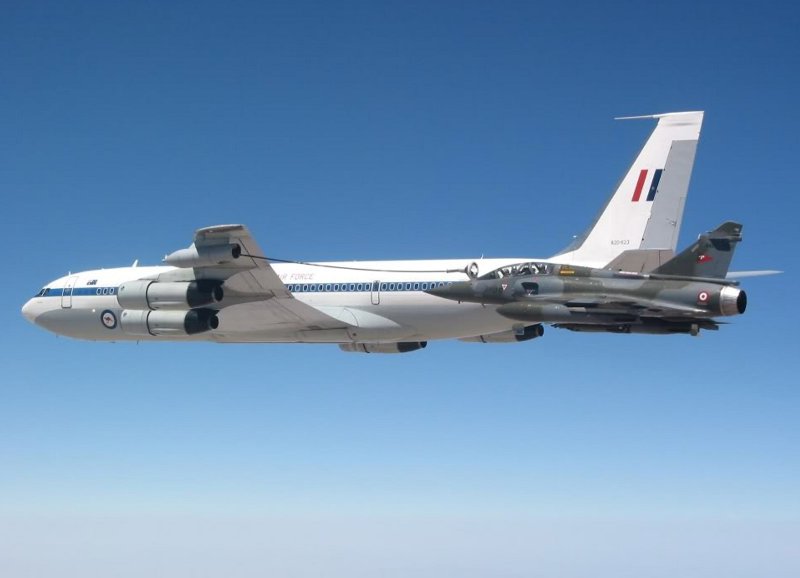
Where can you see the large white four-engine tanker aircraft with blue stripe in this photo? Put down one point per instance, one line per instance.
(223, 288)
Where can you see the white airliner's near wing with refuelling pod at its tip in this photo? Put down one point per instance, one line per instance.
(260, 299)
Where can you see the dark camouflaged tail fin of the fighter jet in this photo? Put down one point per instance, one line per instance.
(710, 256)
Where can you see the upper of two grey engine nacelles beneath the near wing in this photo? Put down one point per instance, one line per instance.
(145, 294)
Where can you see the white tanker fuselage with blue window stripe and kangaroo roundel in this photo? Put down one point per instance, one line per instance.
(378, 301)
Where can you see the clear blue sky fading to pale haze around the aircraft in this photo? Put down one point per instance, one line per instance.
(381, 130)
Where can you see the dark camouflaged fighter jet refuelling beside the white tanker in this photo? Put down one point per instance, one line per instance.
(683, 295)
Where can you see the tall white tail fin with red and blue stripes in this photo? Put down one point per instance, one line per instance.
(646, 210)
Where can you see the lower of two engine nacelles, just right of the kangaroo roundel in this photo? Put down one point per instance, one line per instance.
(138, 322)
